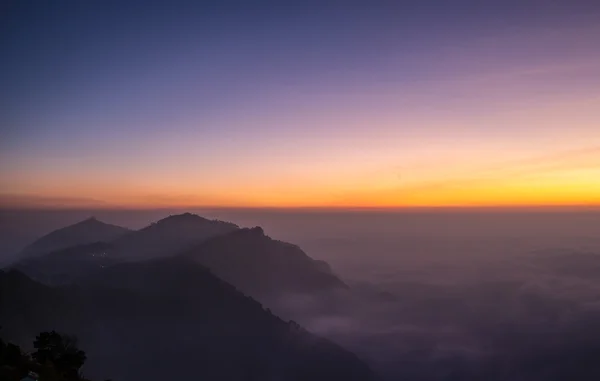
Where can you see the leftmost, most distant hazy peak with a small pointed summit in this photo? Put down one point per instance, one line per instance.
(88, 231)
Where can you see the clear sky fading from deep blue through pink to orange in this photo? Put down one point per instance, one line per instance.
(295, 104)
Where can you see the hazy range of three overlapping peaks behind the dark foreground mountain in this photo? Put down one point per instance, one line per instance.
(247, 258)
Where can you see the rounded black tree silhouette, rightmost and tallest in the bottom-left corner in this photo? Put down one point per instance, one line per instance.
(61, 351)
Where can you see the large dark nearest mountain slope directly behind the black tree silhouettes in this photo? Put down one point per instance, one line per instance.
(171, 318)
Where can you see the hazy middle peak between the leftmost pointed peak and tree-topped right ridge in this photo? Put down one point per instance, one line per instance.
(169, 236)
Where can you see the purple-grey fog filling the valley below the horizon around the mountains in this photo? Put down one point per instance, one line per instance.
(437, 296)
